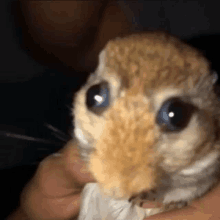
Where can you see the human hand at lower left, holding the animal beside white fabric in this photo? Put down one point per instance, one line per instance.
(54, 191)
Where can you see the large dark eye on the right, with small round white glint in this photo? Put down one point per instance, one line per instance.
(174, 114)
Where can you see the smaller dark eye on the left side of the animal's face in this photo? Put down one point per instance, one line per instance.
(97, 97)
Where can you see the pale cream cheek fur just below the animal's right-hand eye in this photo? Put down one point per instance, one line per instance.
(183, 148)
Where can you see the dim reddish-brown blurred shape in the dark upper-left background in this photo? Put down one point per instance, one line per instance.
(72, 32)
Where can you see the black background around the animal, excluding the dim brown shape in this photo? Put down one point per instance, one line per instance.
(35, 90)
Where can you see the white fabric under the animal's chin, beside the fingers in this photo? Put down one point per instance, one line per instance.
(96, 206)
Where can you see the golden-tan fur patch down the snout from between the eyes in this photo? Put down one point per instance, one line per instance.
(124, 162)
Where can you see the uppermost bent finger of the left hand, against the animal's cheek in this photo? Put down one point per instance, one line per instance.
(61, 174)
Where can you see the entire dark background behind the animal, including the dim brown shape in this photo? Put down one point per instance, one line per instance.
(48, 49)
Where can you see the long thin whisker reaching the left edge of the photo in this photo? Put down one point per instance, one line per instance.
(28, 138)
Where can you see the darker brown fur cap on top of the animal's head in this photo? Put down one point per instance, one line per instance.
(159, 57)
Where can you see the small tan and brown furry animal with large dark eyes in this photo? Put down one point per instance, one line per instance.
(147, 121)
